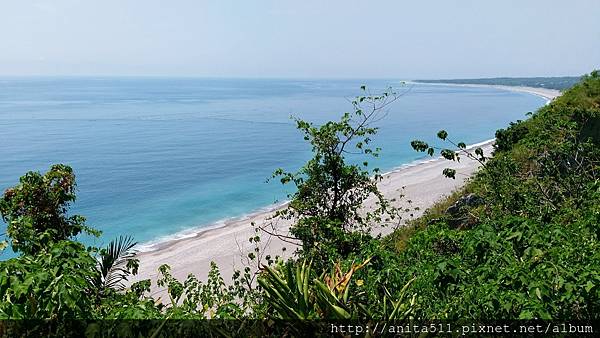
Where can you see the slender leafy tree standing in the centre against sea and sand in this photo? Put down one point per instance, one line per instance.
(327, 207)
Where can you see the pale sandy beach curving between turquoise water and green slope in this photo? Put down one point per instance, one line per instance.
(228, 246)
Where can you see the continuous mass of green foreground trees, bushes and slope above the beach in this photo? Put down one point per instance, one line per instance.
(519, 241)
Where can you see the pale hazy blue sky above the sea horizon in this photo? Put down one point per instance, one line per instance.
(300, 39)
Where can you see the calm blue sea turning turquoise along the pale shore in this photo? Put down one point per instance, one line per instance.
(156, 156)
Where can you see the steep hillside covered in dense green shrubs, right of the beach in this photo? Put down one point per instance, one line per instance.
(521, 239)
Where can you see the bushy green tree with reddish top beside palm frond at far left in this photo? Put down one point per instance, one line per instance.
(55, 276)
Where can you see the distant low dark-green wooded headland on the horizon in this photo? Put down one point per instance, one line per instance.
(560, 83)
